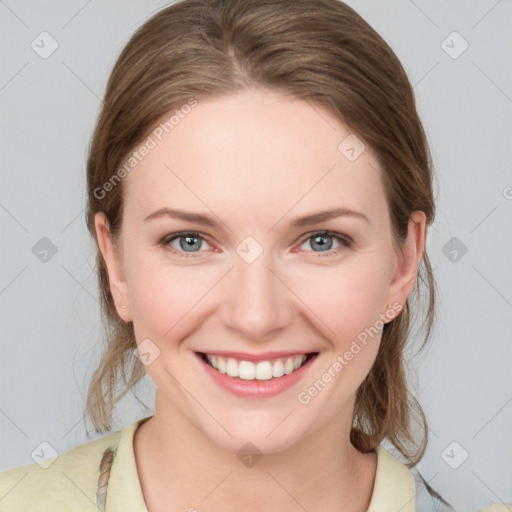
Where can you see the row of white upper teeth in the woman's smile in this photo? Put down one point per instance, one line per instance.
(264, 370)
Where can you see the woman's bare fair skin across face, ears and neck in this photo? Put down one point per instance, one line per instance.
(254, 161)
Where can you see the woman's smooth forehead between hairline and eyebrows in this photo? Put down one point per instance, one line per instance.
(258, 148)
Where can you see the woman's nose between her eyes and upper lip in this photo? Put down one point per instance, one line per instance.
(255, 301)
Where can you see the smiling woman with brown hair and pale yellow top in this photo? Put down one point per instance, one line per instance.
(259, 189)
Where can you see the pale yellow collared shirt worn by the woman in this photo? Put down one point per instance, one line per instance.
(70, 482)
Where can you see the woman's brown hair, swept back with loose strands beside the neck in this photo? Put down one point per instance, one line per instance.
(321, 51)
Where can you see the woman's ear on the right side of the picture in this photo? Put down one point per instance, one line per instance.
(408, 258)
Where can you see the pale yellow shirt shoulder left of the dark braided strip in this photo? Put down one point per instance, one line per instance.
(56, 483)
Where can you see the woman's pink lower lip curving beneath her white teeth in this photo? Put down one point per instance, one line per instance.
(256, 388)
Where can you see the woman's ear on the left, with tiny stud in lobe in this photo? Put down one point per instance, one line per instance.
(117, 282)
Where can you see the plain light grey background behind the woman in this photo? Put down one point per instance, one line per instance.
(50, 324)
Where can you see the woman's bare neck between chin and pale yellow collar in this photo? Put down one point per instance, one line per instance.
(178, 465)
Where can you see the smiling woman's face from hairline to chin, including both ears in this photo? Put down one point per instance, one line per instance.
(255, 282)
